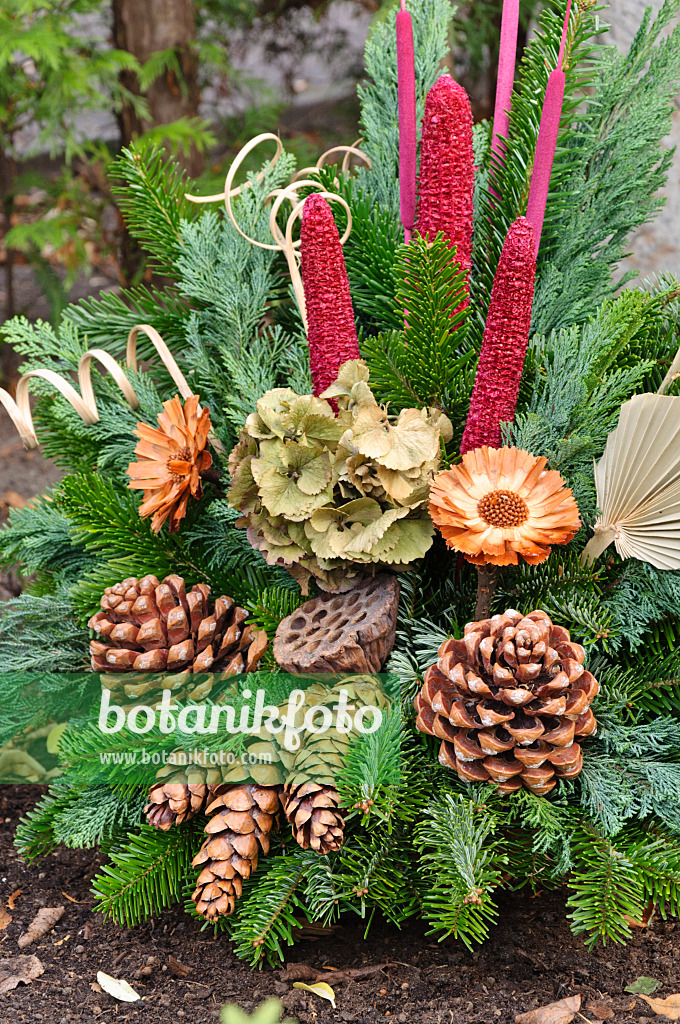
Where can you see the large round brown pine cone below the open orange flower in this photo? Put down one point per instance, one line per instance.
(507, 701)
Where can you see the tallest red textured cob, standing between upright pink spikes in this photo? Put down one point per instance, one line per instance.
(446, 183)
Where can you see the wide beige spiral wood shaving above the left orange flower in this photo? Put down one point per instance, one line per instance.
(86, 404)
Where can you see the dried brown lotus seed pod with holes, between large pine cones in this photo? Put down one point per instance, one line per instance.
(351, 632)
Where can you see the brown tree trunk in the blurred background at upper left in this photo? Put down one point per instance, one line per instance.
(143, 28)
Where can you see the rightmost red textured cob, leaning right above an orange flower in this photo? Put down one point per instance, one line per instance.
(506, 336)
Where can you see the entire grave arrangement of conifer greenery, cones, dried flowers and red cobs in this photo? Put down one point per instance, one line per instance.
(398, 413)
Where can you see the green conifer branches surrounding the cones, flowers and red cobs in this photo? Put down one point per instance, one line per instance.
(418, 842)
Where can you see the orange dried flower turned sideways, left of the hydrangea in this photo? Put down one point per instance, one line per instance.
(171, 462)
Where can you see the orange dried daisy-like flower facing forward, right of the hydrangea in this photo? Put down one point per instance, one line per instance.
(500, 504)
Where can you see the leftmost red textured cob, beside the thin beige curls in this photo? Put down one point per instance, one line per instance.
(331, 331)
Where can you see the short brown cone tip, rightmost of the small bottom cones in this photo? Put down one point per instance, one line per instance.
(313, 812)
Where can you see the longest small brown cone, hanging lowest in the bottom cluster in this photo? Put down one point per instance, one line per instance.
(243, 818)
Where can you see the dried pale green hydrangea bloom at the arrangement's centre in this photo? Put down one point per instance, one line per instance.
(336, 497)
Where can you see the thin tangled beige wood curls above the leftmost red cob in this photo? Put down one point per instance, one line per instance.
(283, 241)
